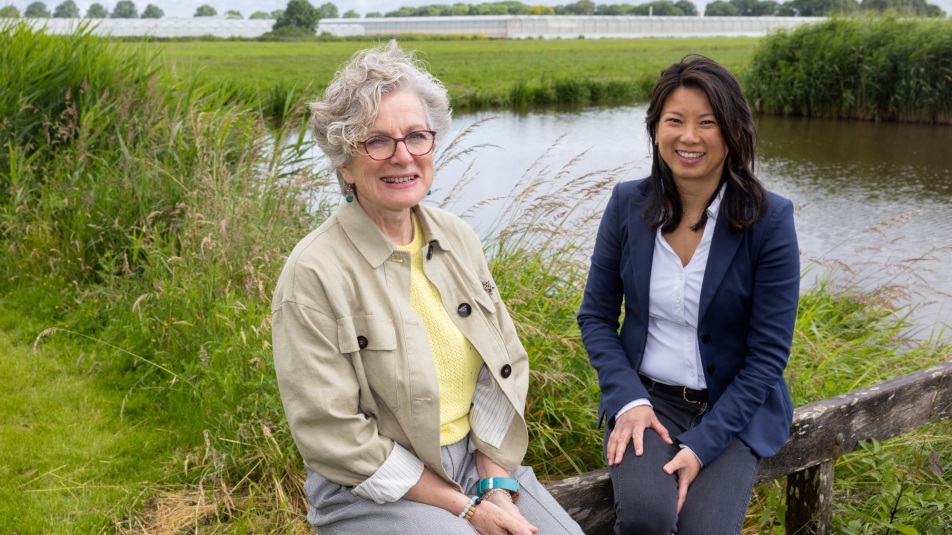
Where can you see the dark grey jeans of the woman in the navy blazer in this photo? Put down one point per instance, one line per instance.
(646, 499)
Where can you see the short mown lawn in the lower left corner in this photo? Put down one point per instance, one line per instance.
(78, 445)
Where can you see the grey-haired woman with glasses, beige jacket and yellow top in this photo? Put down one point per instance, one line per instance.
(401, 374)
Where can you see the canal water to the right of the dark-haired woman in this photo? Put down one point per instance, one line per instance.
(868, 192)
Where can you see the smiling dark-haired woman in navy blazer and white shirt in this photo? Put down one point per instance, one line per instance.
(707, 265)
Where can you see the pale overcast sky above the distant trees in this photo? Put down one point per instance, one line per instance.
(186, 8)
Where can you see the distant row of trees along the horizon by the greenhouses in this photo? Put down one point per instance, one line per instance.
(302, 14)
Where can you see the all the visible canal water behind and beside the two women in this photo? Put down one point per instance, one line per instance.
(875, 198)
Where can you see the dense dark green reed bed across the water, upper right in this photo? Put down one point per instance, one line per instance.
(866, 67)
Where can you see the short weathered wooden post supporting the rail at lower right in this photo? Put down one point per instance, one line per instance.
(810, 500)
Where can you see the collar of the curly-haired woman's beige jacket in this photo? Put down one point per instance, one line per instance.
(372, 243)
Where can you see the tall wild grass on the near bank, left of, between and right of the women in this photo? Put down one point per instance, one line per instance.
(147, 219)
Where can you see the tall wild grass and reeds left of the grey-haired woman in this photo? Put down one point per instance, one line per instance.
(153, 213)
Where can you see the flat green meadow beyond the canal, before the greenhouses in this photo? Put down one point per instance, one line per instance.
(464, 66)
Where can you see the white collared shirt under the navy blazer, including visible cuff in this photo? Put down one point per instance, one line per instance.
(672, 355)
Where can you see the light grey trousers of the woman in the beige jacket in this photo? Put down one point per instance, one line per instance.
(335, 510)
